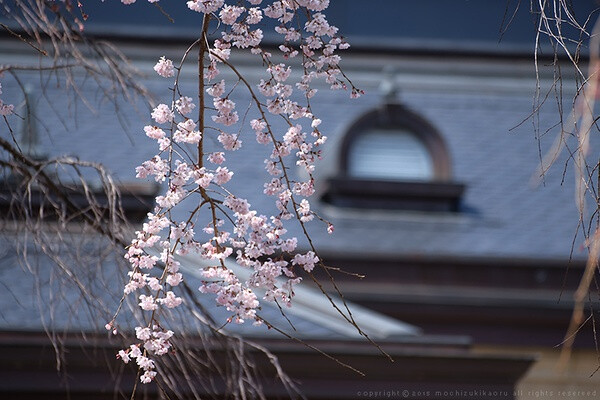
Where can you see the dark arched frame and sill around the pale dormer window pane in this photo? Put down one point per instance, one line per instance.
(440, 194)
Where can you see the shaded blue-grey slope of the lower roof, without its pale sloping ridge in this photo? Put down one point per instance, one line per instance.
(37, 295)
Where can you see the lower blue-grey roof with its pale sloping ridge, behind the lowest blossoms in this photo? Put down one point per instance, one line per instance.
(39, 295)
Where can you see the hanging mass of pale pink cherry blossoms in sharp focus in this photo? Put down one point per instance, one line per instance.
(258, 242)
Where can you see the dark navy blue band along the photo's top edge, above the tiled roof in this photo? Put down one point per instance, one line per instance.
(472, 25)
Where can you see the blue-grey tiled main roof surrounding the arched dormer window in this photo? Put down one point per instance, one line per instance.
(503, 214)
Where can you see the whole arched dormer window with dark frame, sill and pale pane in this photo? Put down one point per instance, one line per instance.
(392, 158)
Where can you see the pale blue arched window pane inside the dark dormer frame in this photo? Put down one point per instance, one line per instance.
(390, 154)
